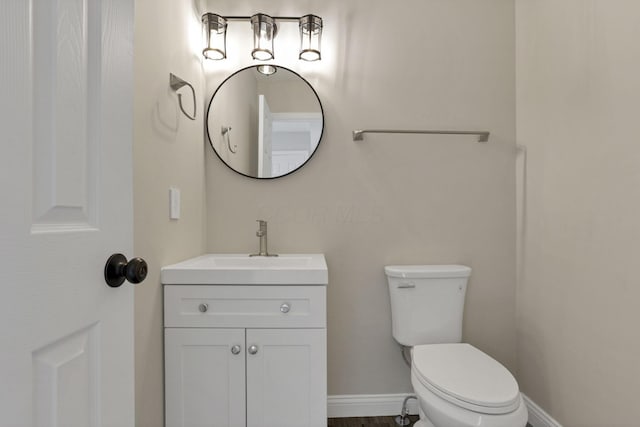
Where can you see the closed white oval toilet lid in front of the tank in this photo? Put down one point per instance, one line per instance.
(467, 377)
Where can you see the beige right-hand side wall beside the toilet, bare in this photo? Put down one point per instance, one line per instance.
(578, 100)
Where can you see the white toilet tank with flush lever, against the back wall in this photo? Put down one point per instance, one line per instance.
(427, 302)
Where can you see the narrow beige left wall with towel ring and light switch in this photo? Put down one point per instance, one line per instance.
(168, 151)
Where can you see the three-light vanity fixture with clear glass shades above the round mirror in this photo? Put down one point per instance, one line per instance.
(265, 29)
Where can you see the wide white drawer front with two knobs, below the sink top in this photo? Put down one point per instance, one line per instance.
(188, 306)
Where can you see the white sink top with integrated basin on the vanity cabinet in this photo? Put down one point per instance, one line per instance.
(241, 269)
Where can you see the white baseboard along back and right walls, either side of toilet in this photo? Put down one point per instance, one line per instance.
(378, 405)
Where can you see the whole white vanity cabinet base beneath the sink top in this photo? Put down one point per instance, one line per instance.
(251, 355)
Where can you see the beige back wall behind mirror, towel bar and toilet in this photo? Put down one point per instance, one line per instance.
(390, 199)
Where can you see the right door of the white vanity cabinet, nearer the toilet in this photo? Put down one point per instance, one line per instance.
(287, 378)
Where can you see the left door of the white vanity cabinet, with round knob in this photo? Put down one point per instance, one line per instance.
(204, 380)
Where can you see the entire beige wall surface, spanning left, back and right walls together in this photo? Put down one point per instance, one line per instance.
(406, 199)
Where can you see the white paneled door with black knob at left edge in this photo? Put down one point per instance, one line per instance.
(66, 338)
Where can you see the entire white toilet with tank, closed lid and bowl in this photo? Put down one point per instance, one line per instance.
(456, 384)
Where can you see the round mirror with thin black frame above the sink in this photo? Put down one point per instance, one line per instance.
(265, 121)
